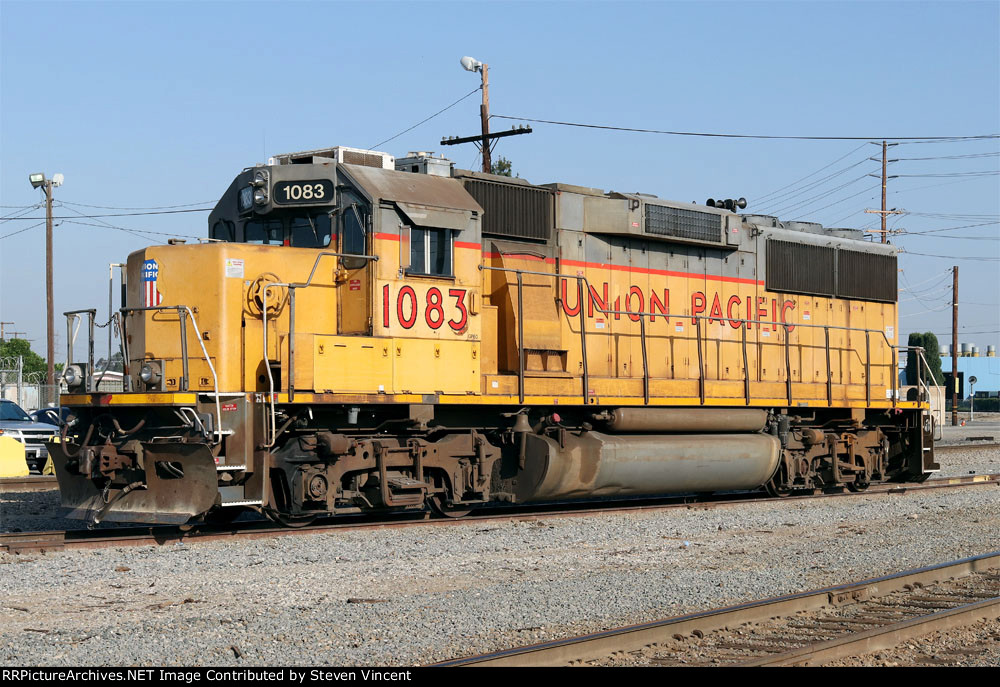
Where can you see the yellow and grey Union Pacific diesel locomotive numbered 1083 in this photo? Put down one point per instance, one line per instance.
(363, 333)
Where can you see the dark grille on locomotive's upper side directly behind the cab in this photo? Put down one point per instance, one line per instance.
(517, 211)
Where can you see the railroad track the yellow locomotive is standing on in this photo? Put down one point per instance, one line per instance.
(23, 542)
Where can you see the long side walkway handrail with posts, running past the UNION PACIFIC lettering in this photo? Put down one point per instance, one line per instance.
(582, 280)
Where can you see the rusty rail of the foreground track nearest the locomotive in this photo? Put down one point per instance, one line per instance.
(602, 644)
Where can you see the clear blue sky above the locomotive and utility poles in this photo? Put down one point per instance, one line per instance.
(145, 104)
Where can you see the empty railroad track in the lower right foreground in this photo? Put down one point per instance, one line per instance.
(810, 628)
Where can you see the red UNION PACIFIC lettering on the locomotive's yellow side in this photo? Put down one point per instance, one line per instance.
(735, 310)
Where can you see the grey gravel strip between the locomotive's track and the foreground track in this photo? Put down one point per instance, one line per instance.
(422, 594)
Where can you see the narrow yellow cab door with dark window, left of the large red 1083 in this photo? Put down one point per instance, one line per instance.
(354, 274)
